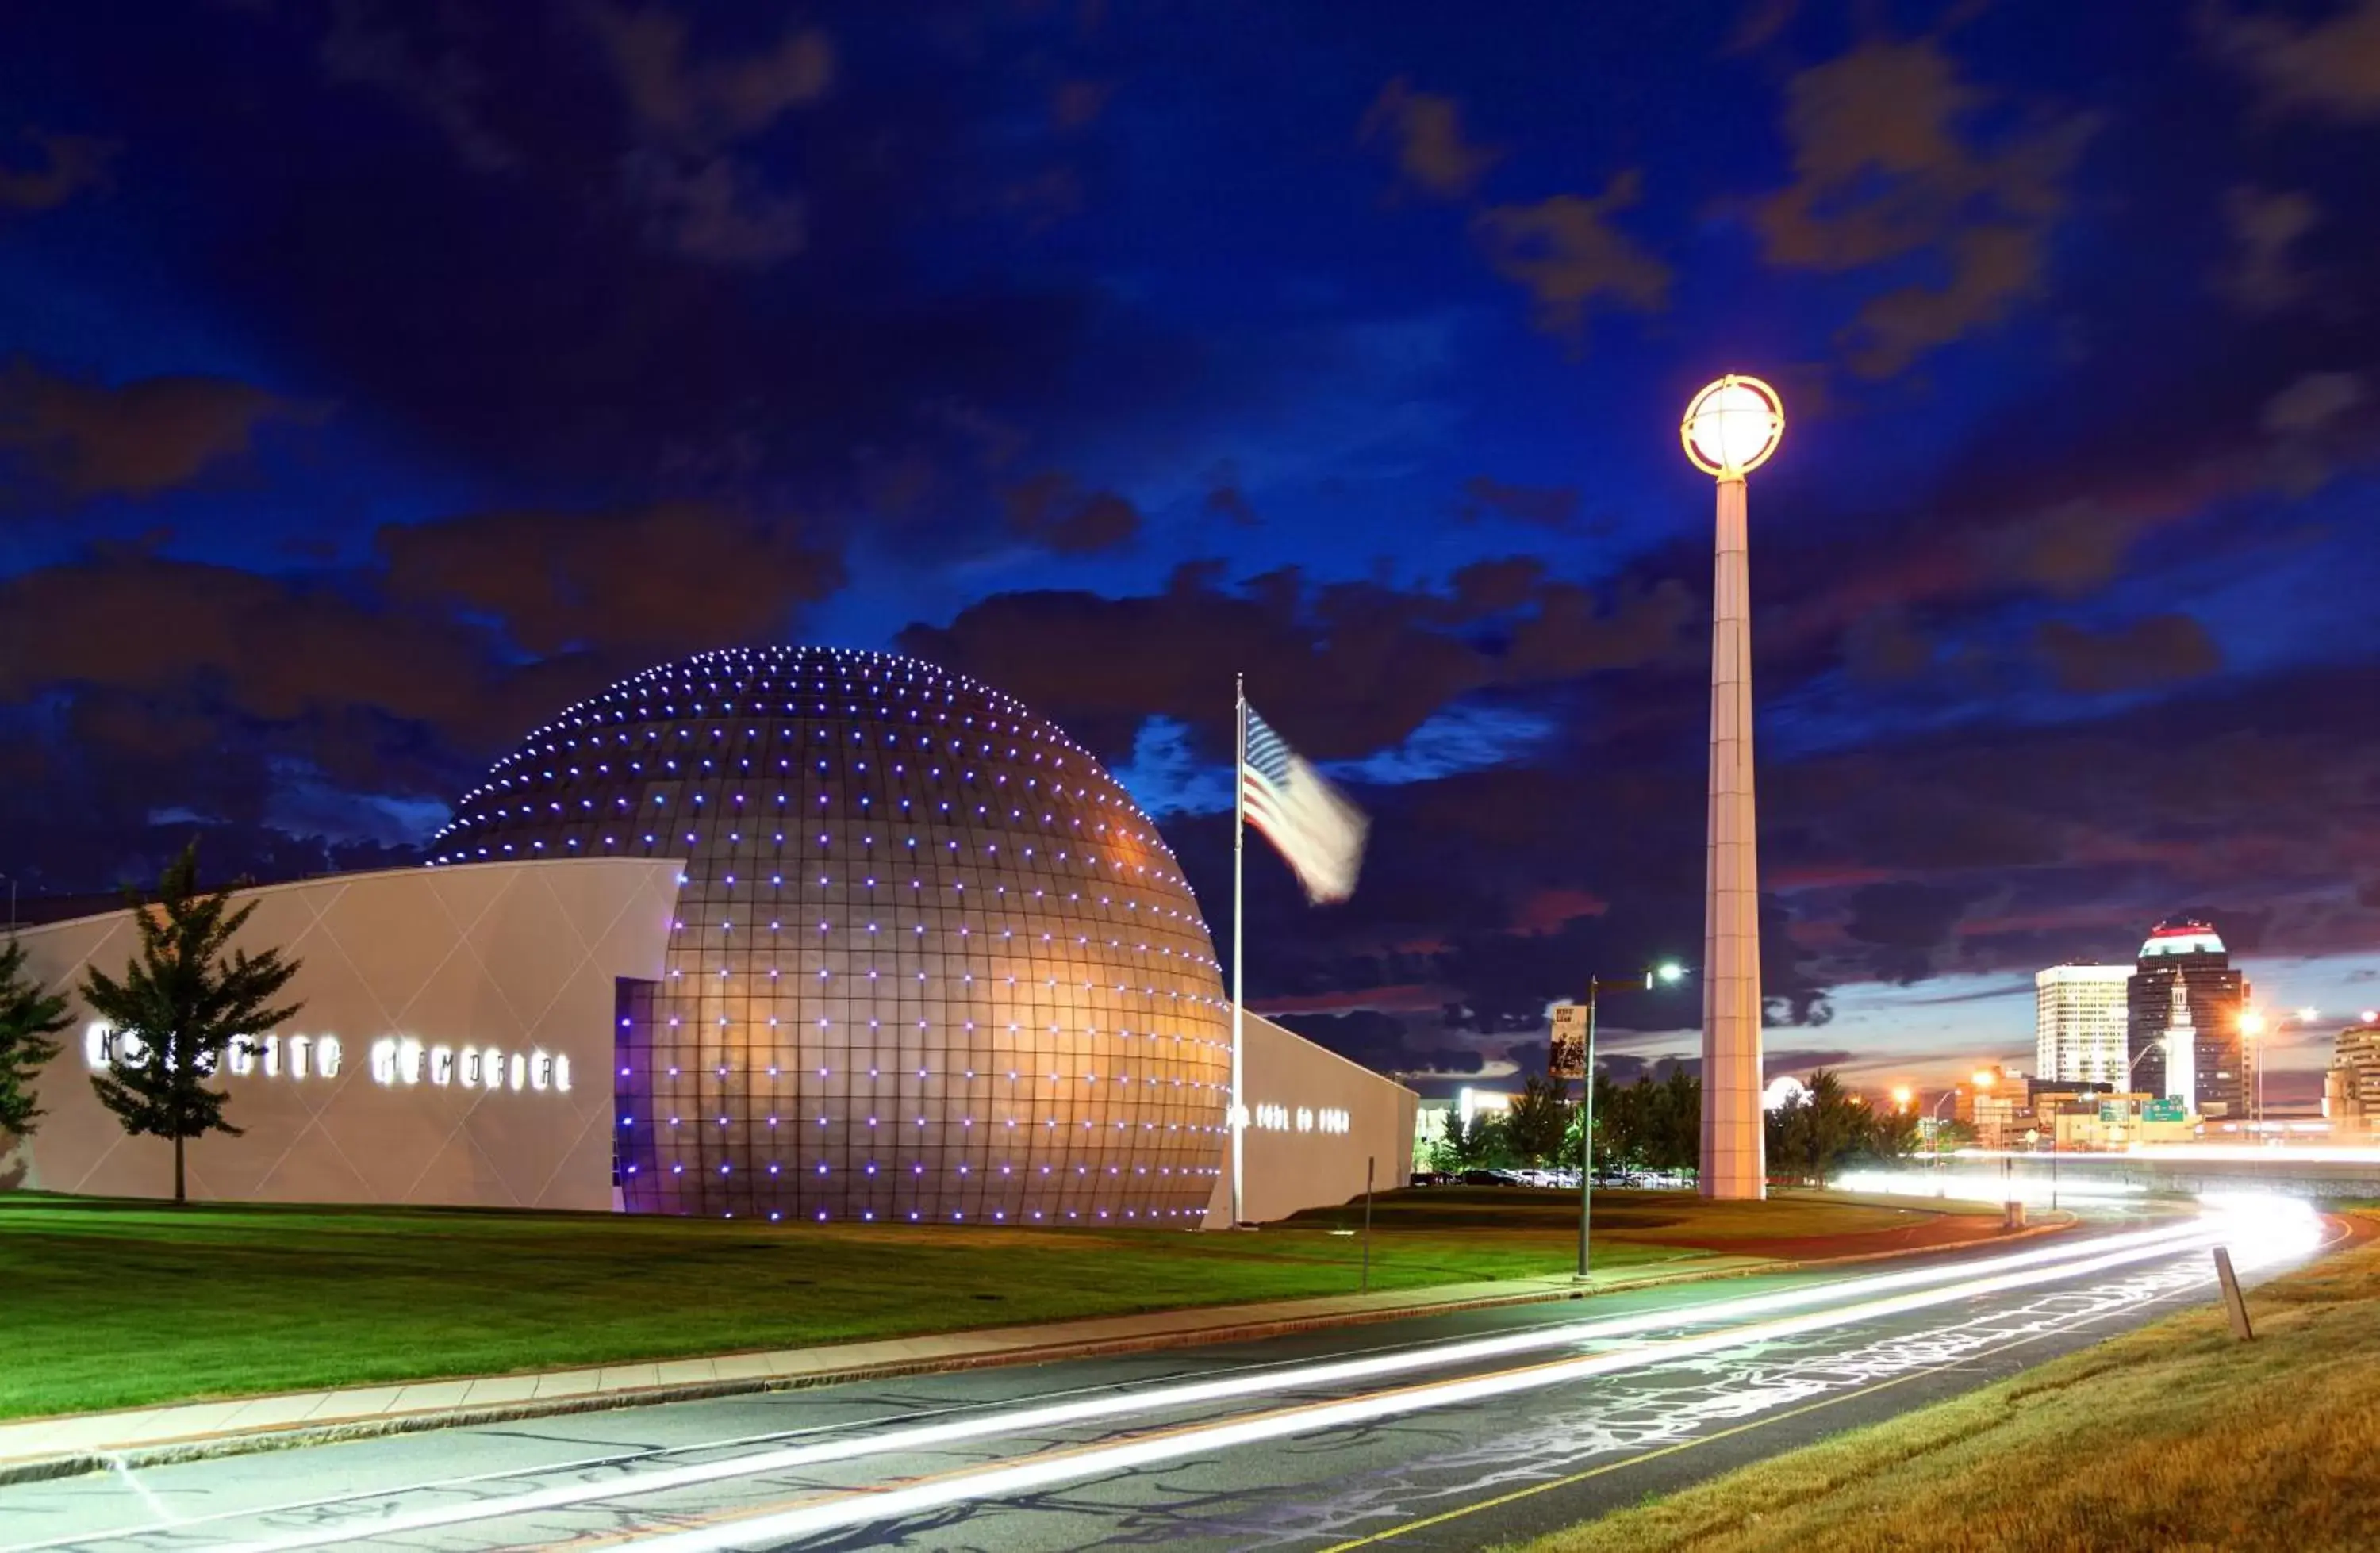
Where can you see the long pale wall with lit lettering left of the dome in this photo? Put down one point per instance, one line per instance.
(511, 960)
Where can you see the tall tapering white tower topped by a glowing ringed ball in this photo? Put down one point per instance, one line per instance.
(1729, 432)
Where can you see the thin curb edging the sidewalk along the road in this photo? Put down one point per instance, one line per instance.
(289, 1438)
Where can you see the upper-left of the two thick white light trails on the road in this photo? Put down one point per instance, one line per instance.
(2053, 1262)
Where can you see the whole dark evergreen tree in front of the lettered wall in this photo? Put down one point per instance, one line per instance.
(177, 1010)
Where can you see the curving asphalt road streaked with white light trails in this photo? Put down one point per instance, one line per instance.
(1443, 1433)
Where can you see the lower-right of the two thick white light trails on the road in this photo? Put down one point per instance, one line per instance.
(1001, 1483)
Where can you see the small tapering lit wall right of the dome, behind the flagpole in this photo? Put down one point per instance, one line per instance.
(1315, 1119)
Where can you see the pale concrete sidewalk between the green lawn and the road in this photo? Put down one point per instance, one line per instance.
(84, 1442)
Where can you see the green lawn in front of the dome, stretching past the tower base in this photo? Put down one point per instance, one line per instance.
(111, 1304)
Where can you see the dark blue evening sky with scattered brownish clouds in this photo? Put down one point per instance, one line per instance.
(377, 379)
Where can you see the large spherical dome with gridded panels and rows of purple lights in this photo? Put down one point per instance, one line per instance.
(929, 962)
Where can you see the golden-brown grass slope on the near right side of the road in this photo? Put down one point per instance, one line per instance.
(2167, 1438)
